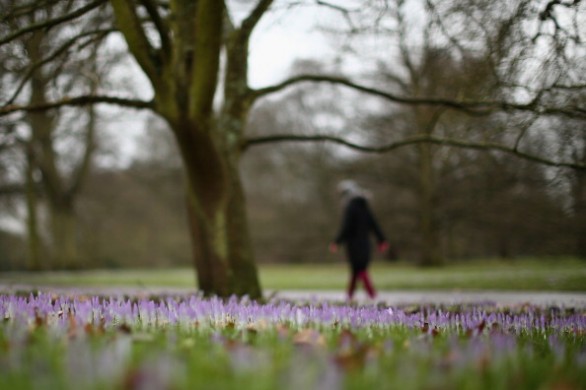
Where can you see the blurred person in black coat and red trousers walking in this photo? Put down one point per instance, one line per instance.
(357, 224)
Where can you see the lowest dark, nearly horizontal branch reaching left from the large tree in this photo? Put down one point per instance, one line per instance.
(76, 102)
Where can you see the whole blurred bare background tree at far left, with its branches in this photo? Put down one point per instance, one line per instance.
(45, 64)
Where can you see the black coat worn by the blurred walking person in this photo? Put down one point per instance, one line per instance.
(357, 224)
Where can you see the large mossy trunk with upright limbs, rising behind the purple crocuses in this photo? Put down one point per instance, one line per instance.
(184, 75)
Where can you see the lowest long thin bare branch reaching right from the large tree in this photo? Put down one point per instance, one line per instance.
(484, 146)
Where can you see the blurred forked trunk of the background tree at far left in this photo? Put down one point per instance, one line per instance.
(59, 191)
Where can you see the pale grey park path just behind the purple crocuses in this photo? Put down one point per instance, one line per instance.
(391, 298)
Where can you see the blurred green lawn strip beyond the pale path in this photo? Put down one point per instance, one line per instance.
(565, 274)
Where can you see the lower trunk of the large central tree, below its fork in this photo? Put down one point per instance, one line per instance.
(217, 216)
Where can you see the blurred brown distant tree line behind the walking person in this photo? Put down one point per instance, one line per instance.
(486, 205)
